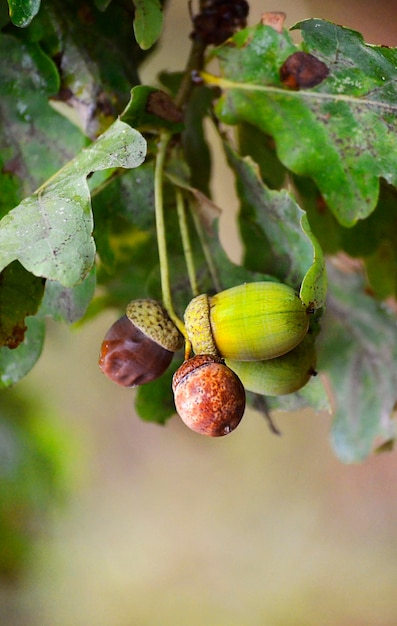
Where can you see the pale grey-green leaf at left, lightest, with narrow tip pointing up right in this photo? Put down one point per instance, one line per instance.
(50, 232)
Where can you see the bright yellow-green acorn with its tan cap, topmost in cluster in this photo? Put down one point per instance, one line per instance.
(250, 322)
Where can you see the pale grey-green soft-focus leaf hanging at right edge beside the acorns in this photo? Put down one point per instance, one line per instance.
(359, 354)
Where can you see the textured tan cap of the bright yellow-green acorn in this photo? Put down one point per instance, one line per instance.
(198, 326)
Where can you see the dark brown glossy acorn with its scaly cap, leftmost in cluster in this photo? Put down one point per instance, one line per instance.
(140, 345)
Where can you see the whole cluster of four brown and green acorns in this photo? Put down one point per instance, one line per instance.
(251, 337)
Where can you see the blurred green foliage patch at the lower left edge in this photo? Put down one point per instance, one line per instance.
(36, 460)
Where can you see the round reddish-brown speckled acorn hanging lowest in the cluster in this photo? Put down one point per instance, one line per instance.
(209, 396)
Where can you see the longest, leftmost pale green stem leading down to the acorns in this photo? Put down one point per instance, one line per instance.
(161, 234)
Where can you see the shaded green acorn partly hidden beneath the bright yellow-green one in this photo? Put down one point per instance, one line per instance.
(280, 376)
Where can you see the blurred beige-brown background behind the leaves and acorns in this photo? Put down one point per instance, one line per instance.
(157, 526)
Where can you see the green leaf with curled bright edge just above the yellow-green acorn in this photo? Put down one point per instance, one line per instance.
(276, 233)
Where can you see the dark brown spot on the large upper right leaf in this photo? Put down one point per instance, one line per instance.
(302, 70)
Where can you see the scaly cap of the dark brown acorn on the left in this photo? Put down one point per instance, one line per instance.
(153, 320)
